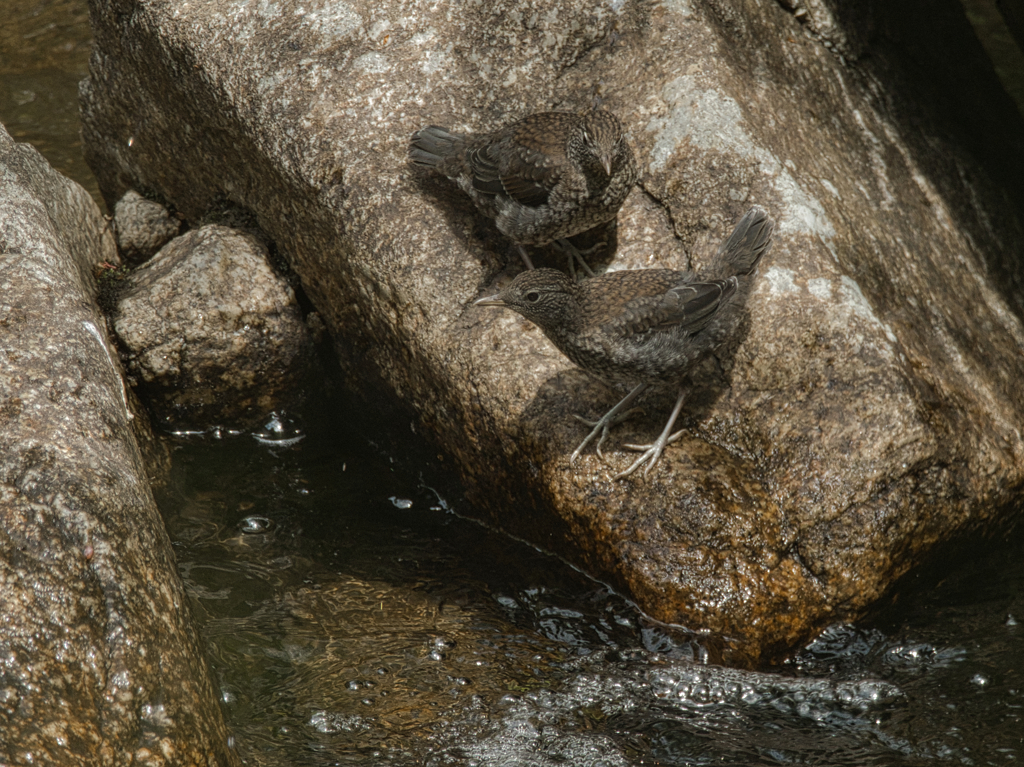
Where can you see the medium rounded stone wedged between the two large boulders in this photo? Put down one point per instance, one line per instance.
(210, 332)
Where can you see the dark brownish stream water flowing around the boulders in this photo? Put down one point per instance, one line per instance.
(354, 618)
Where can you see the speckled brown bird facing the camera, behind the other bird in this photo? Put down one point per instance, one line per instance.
(542, 179)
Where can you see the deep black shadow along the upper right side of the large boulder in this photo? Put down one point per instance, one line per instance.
(943, 87)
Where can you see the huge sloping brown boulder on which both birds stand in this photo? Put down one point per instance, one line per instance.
(875, 404)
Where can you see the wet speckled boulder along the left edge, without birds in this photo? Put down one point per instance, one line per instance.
(101, 663)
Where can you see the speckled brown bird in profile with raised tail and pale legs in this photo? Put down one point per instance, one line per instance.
(644, 327)
